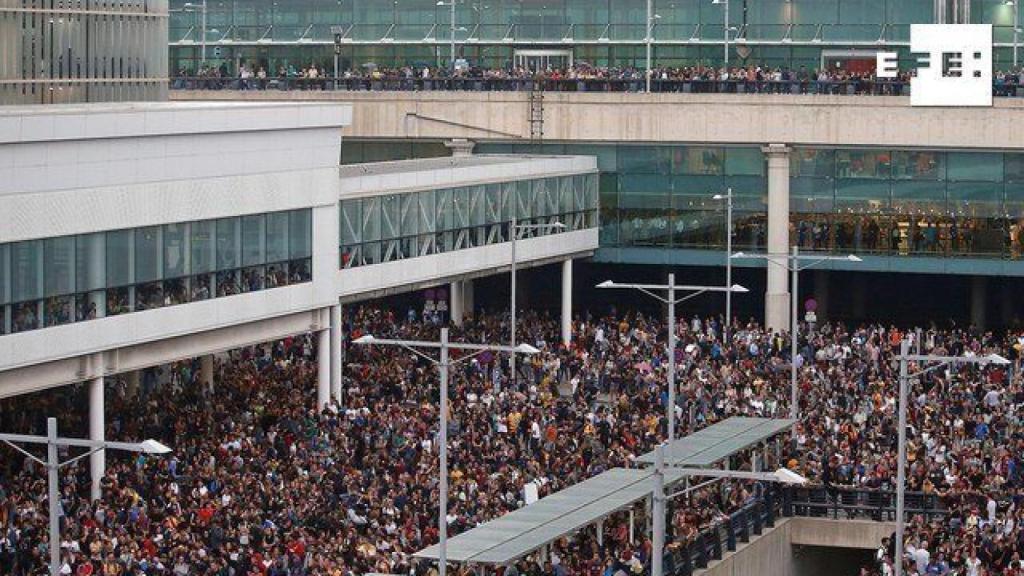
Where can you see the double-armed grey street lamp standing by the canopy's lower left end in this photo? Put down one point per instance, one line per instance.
(444, 346)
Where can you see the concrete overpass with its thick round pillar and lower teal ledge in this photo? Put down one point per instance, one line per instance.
(777, 124)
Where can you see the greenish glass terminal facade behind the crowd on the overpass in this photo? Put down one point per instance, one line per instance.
(298, 33)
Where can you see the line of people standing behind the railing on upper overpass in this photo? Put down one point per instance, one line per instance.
(747, 78)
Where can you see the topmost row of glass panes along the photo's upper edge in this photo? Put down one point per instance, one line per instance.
(559, 15)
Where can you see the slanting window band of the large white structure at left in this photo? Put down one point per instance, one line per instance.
(79, 278)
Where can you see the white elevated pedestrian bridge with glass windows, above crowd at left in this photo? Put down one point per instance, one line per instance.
(139, 235)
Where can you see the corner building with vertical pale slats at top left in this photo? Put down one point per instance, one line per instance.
(56, 52)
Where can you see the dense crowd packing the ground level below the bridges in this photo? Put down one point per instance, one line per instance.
(262, 483)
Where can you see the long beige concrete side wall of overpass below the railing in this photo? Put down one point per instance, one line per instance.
(801, 120)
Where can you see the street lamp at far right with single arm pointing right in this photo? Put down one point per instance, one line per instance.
(905, 379)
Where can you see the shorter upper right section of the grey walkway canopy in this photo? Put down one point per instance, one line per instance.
(718, 442)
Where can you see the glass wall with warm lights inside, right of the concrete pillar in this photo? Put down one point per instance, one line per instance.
(908, 202)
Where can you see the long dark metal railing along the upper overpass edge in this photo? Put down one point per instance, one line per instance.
(486, 85)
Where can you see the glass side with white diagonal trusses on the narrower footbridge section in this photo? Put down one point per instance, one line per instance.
(390, 228)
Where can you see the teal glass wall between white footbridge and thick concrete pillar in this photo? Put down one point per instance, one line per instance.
(663, 196)
